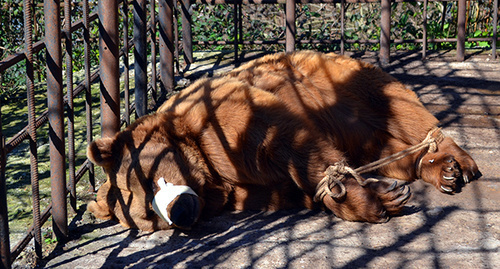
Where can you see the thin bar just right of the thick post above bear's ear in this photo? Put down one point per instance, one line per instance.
(126, 64)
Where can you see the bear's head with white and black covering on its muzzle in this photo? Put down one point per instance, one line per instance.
(142, 160)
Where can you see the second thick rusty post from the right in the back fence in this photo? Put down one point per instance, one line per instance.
(385, 32)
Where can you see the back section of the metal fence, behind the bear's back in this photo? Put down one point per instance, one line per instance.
(290, 41)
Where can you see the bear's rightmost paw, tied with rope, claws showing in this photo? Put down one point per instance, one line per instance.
(449, 168)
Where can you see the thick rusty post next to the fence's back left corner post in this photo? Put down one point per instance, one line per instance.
(166, 45)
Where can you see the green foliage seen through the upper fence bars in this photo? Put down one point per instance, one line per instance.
(260, 22)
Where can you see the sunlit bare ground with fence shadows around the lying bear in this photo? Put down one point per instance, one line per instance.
(435, 231)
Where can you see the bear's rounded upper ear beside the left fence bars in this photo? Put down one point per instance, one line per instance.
(100, 152)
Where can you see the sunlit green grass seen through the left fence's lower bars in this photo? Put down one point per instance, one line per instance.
(18, 177)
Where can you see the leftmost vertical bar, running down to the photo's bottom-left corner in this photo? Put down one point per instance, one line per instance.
(4, 213)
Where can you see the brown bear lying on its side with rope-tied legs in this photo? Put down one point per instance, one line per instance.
(261, 138)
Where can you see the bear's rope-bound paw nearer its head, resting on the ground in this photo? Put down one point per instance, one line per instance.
(372, 203)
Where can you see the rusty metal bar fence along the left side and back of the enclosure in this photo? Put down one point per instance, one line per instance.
(160, 32)
